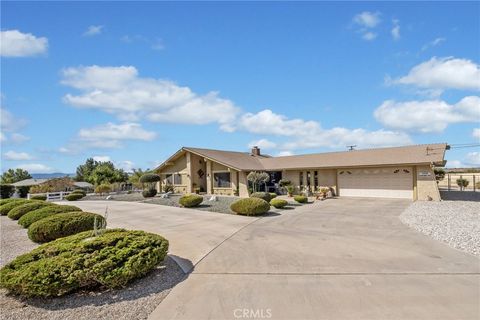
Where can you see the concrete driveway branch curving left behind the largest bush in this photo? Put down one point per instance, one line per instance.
(192, 233)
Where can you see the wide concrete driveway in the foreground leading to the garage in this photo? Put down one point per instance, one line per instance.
(337, 259)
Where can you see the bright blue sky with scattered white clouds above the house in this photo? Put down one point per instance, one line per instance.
(133, 82)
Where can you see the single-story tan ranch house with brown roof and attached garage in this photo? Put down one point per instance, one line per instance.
(396, 172)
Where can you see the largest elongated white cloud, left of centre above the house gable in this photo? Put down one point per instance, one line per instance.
(120, 91)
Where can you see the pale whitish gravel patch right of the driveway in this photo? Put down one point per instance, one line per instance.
(456, 223)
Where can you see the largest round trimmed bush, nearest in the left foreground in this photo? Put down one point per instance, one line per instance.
(112, 260)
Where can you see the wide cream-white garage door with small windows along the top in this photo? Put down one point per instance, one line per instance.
(376, 182)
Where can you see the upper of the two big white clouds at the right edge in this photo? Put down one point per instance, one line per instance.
(443, 73)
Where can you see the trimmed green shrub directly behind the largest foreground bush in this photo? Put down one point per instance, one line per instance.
(62, 225)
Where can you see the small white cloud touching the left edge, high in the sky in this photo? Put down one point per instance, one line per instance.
(18, 44)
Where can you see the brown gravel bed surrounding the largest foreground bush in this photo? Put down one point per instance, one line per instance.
(134, 302)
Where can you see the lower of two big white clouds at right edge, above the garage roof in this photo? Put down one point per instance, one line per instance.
(427, 116)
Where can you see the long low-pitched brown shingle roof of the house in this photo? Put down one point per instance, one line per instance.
(415, 154)
